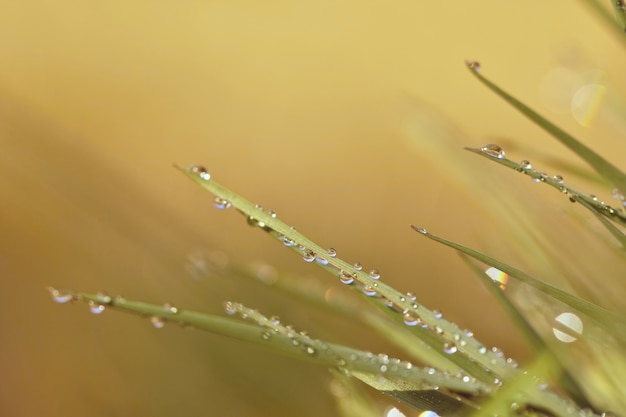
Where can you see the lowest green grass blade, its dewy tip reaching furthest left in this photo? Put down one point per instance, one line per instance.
(392, 376)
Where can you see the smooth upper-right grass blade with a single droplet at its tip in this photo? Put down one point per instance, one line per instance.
(603, 167)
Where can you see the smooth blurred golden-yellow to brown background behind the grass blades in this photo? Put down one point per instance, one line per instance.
(347, 118)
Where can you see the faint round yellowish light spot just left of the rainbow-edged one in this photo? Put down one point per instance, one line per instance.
(558, 87)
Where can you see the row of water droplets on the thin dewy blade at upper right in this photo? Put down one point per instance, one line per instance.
(526, 167)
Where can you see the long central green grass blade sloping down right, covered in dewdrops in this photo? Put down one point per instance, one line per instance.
(444, 337)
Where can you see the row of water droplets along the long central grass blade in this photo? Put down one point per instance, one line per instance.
(455, 340)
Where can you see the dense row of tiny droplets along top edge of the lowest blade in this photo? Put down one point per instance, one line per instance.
(351, 359)
